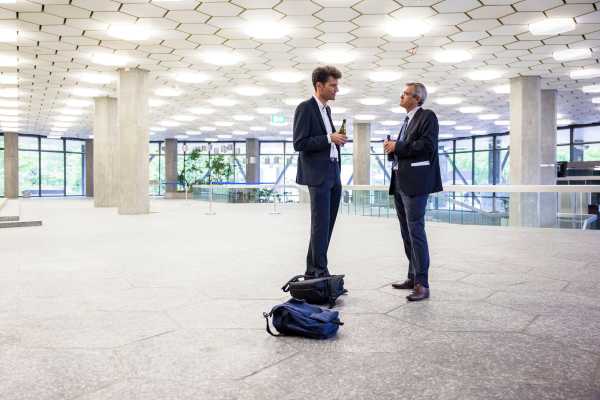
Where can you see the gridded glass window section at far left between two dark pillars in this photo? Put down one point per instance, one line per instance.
(51, 167)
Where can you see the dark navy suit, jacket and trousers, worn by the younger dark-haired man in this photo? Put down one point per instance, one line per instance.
(322, 175)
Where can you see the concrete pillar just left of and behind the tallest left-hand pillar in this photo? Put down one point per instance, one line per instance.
(106, 153)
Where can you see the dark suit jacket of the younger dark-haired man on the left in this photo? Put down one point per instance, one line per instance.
(310, 140)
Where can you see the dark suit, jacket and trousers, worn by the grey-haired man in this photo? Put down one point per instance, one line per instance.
(417, 175)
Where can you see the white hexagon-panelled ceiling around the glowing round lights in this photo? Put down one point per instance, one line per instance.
(56, 38)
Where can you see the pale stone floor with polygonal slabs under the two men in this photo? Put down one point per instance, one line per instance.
(96, 306)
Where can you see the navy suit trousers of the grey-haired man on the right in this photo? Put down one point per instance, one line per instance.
(411, 214)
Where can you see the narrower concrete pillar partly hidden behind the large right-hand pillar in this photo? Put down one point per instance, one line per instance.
(548, 201)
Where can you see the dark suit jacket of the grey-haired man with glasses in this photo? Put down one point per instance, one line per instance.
(418, 163)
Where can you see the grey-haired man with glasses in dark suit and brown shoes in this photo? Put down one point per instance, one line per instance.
(415, 174)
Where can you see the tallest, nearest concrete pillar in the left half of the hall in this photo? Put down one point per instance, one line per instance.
(134, 144)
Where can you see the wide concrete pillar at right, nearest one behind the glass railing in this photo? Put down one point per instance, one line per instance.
(525, 148)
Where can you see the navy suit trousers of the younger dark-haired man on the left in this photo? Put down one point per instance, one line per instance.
(324, 205)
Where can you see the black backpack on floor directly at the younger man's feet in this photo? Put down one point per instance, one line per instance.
(323, 290)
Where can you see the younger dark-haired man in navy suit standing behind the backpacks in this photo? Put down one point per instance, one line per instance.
(319, 165)
